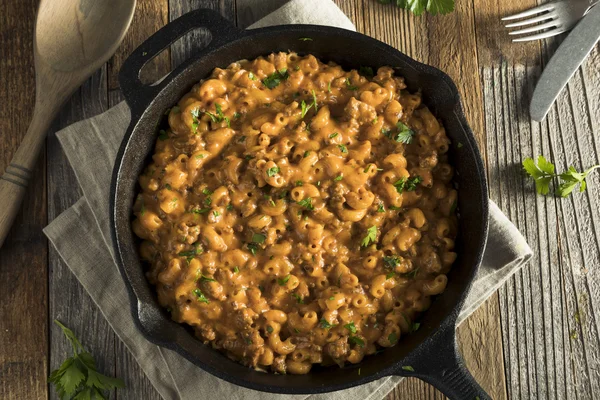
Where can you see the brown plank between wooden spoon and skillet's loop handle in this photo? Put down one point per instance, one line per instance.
(150, 16)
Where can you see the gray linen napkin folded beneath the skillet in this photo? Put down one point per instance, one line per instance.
(91, 146)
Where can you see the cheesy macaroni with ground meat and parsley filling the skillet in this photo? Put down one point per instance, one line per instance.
(295, 213)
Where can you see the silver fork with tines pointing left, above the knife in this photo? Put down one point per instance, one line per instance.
(551, 19)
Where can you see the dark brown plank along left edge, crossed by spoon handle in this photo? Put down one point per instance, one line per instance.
(23, 258)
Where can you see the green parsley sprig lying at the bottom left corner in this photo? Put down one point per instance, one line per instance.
(77, 377)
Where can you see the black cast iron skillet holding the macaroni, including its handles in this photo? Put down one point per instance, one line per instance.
(429, 353)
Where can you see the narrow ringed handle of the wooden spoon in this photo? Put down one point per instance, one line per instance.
(13, 183)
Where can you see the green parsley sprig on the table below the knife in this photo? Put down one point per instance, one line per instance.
(542, 171)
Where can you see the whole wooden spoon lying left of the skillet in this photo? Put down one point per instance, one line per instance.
(72, 39)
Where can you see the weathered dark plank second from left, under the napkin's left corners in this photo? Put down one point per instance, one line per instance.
(69, 303)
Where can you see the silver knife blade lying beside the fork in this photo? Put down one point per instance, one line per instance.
(563, 64)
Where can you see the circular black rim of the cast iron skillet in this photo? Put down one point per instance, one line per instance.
(447, 322)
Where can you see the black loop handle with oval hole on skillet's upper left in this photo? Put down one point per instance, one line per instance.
(139, 95)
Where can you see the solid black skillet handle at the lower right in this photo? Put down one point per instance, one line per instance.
(440, 364)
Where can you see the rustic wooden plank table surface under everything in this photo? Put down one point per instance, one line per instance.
(538, 337)
